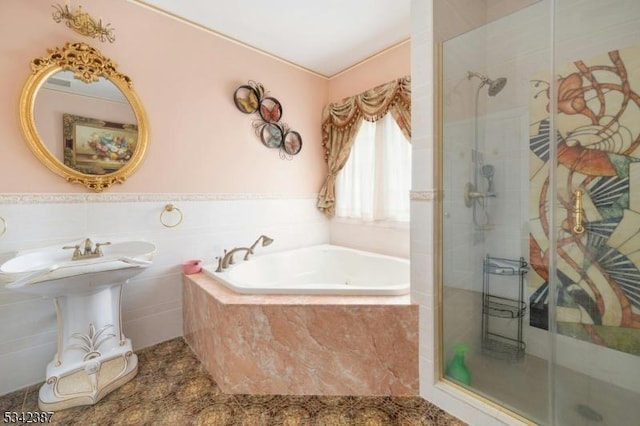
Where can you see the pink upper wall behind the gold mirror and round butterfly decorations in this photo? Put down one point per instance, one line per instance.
(185, 77)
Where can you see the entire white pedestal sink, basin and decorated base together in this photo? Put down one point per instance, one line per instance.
(93, 355)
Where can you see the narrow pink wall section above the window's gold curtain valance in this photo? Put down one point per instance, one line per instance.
(387, 66)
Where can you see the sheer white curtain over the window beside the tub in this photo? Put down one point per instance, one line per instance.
(374, 184)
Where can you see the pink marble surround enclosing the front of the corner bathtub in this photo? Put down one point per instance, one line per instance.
(302, 344)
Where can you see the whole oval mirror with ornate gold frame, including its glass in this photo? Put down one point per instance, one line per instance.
(81, 117)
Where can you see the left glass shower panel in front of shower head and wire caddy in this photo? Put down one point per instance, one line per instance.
(486, 130)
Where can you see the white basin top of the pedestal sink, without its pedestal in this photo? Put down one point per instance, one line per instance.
(50, 271)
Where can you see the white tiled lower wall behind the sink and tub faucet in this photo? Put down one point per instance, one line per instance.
(152, 305)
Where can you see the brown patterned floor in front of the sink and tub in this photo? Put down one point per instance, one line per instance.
(172, 388)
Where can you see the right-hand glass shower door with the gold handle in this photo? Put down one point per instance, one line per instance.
(595, 312)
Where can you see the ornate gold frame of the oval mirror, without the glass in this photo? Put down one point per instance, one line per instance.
(87, 65)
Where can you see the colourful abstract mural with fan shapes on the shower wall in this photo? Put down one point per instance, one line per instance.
(598, 155)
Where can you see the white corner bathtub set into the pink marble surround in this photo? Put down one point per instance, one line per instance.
(322, 269)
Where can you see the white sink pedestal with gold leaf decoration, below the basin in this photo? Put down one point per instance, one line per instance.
(93, 357)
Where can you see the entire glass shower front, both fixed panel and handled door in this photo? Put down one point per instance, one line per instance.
(540, 158)
